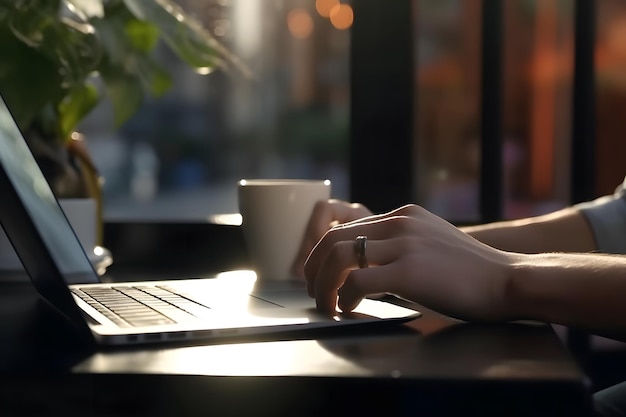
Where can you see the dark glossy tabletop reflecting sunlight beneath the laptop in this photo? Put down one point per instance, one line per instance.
(432, 363)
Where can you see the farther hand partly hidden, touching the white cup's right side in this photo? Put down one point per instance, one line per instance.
(326, 214)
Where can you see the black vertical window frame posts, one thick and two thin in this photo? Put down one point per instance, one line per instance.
(383, 157)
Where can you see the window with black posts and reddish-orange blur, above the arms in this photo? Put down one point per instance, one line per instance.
(536, 48)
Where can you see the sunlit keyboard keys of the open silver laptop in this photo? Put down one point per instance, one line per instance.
(141, 305)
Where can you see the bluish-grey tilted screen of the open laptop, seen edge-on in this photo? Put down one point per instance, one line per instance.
(38, 199)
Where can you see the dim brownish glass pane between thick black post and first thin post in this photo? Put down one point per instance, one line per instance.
(448, 106)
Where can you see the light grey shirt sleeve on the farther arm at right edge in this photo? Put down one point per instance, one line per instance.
(607, 218)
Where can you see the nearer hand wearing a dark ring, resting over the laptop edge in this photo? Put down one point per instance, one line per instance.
(415, 255)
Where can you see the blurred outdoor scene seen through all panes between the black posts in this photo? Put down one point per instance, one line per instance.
(179, 158)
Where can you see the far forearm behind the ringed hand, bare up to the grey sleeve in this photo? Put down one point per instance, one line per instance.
(563, 231)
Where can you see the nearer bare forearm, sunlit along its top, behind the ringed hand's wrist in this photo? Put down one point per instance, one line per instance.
(580, 290)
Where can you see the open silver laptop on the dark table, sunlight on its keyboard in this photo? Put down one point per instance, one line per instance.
(126, 313)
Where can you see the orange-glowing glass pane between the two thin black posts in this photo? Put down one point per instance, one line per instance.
(538, 76)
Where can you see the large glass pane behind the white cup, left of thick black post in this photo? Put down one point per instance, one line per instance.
(181, 155)
